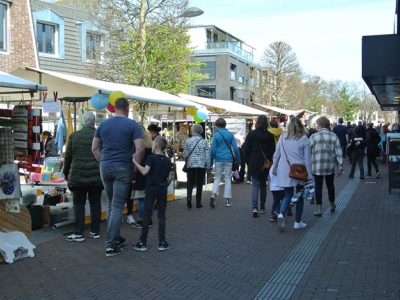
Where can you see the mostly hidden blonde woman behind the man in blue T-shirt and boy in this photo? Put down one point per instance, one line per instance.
(140, 185)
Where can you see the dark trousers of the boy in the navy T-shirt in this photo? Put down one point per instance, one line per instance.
(148, 210)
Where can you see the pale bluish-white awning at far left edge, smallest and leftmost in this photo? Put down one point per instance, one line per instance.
(10, 84)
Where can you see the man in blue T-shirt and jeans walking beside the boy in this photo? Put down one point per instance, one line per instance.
(117, 141)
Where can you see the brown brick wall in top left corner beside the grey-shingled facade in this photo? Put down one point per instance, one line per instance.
(22, 52)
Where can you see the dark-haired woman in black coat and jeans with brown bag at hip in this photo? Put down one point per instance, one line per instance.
(259, 144)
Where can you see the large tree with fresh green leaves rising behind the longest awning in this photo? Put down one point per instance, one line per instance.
(146, 45)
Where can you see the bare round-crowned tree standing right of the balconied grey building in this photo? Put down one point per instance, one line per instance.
(280, 61)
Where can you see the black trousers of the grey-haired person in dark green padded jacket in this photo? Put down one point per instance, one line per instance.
(80, 194)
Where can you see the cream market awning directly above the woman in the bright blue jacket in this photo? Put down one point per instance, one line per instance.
(224, 107)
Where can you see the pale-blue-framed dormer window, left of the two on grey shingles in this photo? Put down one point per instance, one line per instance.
(49, 33)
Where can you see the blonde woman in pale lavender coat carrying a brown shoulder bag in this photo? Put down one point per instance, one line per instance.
(292, 148)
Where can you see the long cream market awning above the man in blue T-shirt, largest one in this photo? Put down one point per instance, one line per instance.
(75, 86)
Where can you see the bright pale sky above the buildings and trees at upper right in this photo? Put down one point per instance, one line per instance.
(325, 35)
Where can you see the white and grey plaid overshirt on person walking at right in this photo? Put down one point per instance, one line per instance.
(326, 152)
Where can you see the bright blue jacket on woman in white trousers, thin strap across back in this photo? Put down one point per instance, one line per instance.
(220, 151)
